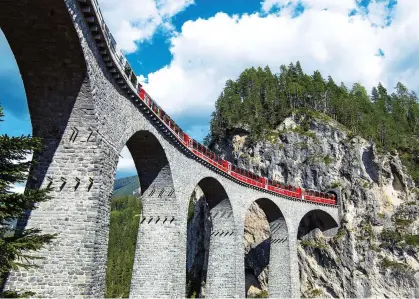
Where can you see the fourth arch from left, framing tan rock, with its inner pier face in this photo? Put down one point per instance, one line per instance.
(267, 259)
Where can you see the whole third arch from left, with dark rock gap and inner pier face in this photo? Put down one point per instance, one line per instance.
(211, 241)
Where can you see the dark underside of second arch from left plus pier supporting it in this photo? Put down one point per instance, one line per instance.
(157, 269)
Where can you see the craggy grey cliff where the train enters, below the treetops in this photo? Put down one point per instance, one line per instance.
(375, 253)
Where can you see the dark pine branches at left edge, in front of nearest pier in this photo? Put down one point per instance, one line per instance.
(16, 245)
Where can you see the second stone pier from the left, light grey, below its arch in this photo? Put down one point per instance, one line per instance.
(159, 264)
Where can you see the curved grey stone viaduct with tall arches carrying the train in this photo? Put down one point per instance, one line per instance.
(83, 108)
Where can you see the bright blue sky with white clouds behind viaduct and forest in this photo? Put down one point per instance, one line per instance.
(185, 50)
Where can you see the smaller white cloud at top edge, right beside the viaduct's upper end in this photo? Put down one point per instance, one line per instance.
(133, 21)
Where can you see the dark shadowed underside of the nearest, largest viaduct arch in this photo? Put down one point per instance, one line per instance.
(54, 77)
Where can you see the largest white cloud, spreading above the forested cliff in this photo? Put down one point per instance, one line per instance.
(207, 52)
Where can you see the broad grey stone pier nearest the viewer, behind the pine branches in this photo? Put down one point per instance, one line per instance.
(81, 173)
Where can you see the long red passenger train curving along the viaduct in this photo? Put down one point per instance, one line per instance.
(232, 170)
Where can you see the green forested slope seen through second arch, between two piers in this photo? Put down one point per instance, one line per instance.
(124, 222)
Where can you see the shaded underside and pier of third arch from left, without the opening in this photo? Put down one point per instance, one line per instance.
(221, 271)
